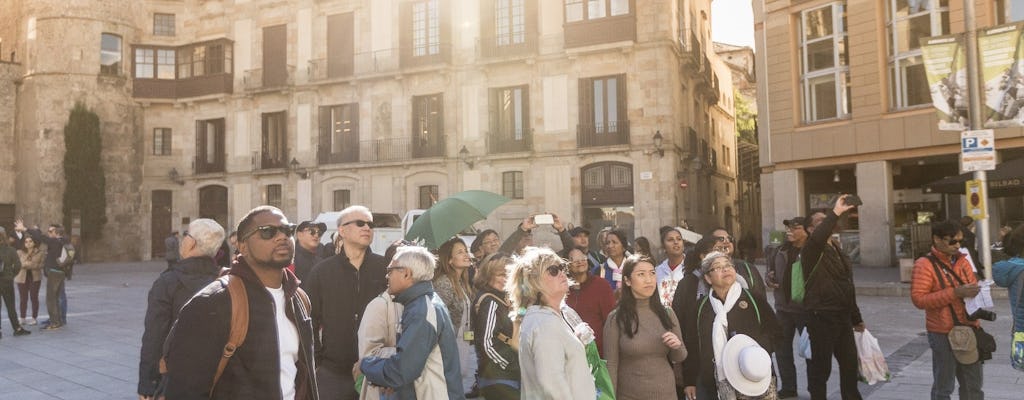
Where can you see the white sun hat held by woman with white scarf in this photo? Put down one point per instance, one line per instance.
(747, 366)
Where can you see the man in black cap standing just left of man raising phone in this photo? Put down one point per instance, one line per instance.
(790, 314)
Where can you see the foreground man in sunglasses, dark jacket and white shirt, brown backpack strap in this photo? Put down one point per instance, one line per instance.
(276, 361)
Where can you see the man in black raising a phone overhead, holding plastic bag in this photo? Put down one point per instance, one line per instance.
(831, 303)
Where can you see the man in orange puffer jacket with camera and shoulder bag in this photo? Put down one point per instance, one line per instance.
(942, 282)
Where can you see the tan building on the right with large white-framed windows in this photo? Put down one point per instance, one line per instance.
(845, 108)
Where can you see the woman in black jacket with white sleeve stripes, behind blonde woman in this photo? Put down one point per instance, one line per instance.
(499, 364)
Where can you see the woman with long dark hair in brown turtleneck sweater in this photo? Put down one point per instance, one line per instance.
(639, 335)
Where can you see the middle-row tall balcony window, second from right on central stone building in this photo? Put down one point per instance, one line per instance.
(510, 119)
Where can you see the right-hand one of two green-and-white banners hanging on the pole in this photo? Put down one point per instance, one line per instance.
(1003, 75)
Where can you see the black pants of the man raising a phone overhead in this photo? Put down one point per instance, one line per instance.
(832, 335)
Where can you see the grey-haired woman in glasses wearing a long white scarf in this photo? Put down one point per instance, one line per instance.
(727, 312)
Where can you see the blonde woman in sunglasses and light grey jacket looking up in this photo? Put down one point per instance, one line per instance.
(551, 347)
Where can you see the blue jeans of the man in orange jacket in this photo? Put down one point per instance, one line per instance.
(946, 368)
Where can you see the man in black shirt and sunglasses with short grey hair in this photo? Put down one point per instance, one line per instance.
(340, 288)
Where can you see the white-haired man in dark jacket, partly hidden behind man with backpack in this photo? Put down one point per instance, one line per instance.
(170, 292)
